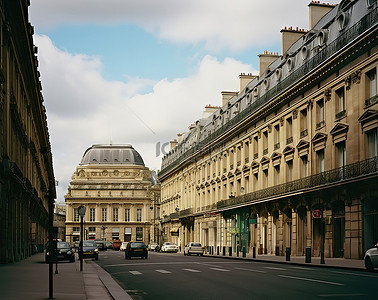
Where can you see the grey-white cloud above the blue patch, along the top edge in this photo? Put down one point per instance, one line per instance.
(220, 24)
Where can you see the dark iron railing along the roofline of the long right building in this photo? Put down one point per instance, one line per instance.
(317, 60)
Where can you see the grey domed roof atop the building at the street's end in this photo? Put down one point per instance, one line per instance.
(112, 154)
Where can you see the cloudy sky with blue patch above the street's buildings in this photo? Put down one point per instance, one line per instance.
(139, 72)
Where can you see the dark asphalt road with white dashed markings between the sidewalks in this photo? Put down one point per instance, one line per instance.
(175, 276)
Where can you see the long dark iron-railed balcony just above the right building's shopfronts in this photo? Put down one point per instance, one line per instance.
(324, 179)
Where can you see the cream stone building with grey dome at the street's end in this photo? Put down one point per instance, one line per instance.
(119, 192)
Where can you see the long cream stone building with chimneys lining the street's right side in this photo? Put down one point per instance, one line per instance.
(289, 161)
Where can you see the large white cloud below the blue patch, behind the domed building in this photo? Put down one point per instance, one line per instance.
(84, 109)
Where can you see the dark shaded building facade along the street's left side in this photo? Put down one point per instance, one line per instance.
(27, 184)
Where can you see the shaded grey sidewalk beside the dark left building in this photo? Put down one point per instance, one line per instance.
(29, 279)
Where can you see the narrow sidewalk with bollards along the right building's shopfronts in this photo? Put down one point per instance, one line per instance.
(352, 264)
